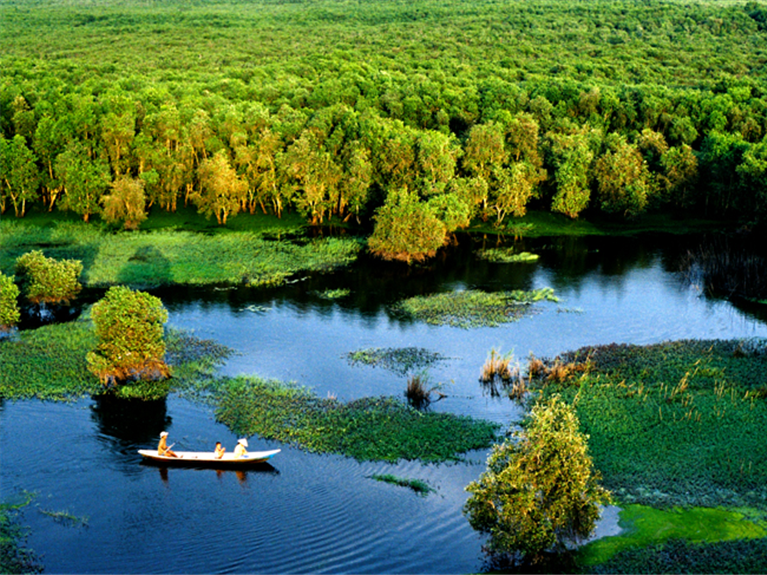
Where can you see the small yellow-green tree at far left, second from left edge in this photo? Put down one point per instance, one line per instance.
(48, 281)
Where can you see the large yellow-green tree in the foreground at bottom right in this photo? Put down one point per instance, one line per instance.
(540, 490)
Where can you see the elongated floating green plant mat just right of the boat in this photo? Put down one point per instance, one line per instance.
(368, 429)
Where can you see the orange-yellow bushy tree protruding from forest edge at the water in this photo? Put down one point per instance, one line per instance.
(406, 228)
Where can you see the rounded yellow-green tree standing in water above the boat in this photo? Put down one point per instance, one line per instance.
(130, 329)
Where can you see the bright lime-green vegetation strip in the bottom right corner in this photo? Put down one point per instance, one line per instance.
(644, 526)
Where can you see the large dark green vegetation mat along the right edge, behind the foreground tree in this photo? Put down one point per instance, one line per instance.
(679, 423)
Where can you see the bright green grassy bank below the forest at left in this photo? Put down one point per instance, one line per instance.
(166, 256)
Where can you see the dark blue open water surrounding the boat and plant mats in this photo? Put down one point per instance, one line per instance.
(309, 513)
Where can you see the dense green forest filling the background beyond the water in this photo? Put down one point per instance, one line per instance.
(384, 111)
